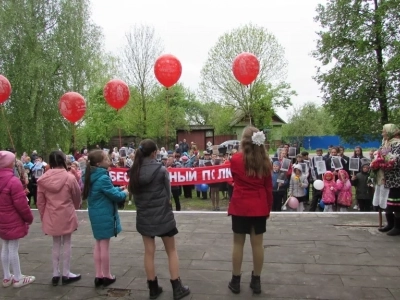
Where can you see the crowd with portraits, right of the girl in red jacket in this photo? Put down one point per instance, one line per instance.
(297, 181)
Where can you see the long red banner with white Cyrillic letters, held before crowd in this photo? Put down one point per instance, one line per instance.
(182, 176)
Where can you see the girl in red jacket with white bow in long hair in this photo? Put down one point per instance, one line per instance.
(250, 204)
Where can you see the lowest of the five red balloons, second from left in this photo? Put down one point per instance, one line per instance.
(72, 106)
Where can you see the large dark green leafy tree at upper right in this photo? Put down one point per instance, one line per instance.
(358, 48)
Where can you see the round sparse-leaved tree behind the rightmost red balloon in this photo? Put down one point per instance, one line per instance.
(269, 90)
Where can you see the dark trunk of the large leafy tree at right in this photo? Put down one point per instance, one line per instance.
(381, 76)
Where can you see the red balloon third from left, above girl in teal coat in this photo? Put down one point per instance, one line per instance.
(116, 92)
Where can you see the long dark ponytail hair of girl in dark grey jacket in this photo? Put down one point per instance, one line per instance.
(146, 148)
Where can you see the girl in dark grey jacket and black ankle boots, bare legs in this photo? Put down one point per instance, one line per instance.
(151, 189)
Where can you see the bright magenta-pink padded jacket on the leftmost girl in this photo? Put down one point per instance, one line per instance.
(15, 213)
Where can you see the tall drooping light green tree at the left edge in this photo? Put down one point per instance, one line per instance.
(46, 49)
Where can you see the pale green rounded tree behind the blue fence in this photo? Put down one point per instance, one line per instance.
(308, 120)
